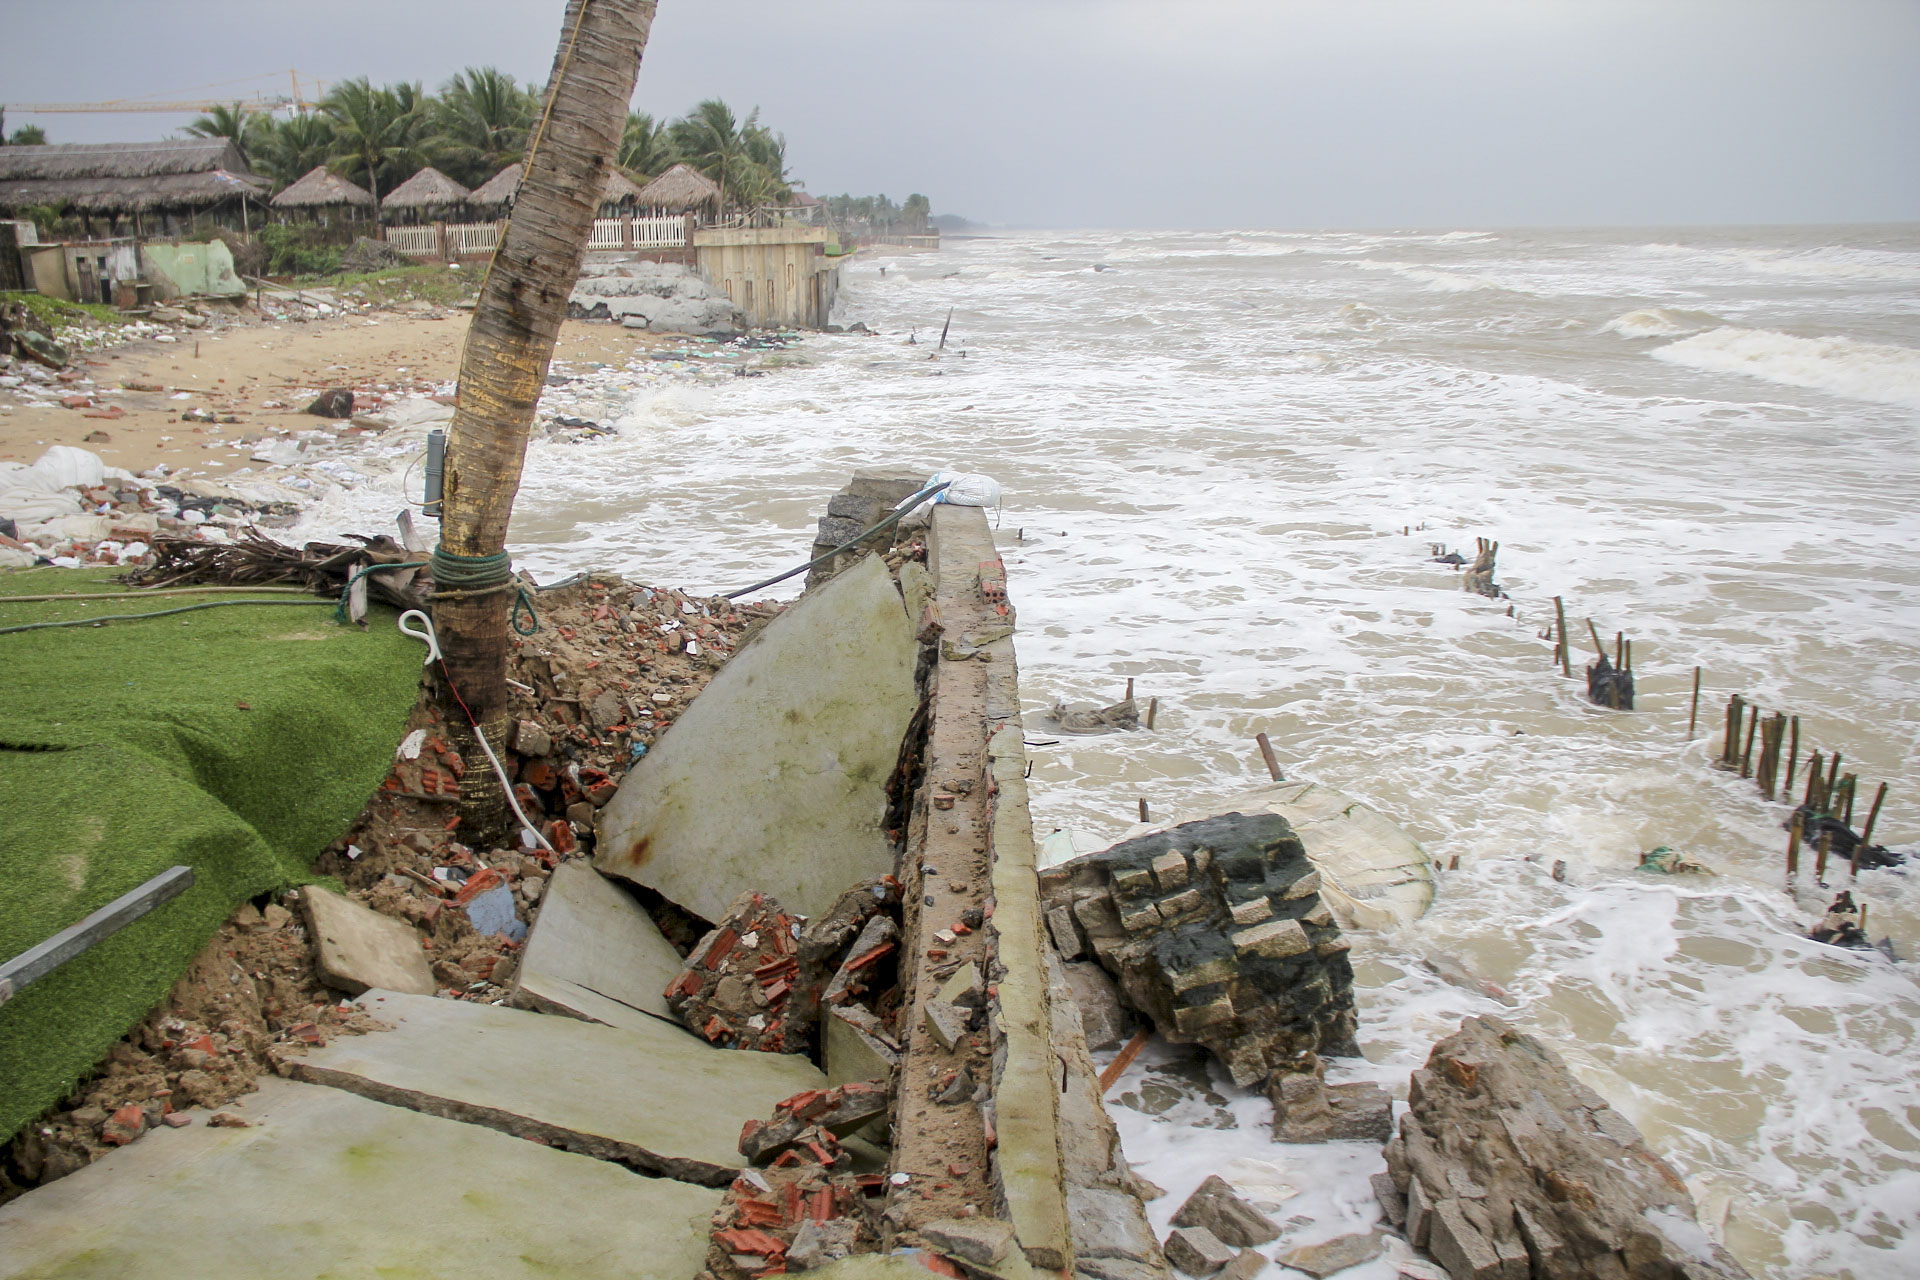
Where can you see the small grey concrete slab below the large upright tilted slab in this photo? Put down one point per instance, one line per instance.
(594, 955)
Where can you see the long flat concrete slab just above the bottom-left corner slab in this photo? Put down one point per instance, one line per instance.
(650, 1097)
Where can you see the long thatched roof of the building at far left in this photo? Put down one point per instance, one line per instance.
(126, 178)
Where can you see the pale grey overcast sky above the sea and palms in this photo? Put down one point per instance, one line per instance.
(1151, 112)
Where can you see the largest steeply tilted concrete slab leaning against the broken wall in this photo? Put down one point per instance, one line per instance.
(775, 778)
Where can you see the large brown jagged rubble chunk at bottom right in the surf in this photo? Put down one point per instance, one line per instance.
(1508, 1168)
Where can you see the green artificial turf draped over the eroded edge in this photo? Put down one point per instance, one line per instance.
(126, 749)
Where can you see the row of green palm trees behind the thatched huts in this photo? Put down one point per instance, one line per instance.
(477, 126)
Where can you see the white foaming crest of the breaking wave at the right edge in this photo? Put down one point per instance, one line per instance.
(1865, 371)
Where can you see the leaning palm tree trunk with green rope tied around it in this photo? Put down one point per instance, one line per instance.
(508, 352)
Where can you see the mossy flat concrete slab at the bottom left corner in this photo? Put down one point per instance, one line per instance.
(423, 1198)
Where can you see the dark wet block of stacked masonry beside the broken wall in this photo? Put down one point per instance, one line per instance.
(1218, 934)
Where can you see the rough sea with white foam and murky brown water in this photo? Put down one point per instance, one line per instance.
(1228, 462)
